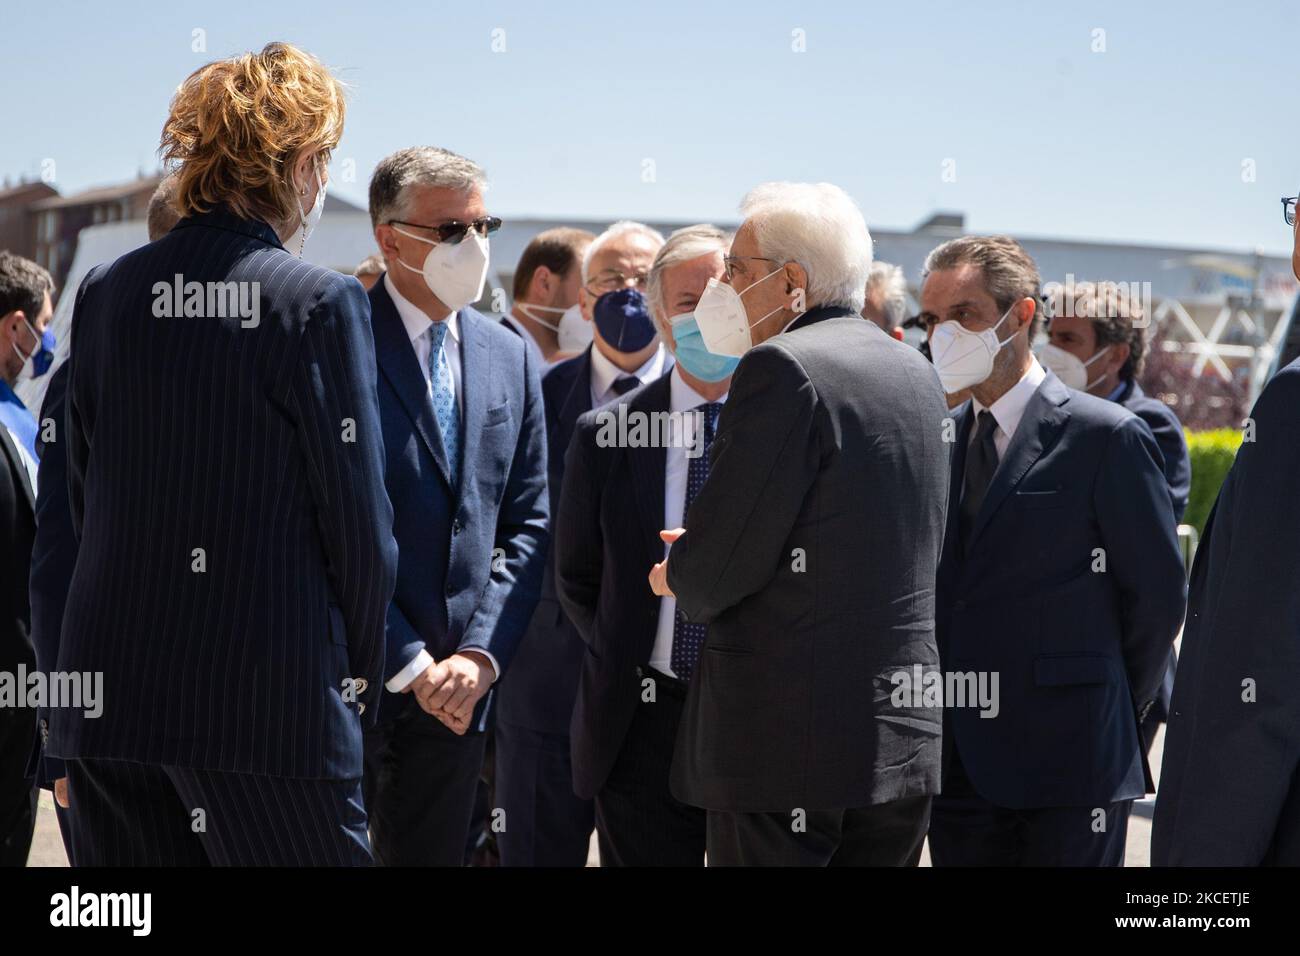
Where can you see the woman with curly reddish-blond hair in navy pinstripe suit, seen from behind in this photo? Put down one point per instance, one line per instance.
(235, 557)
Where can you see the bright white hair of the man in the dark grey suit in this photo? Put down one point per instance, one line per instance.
(820, 227)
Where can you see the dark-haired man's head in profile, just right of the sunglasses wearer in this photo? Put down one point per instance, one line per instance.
(547, 285)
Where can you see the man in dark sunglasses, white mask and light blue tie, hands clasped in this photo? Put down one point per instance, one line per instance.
(466, 470)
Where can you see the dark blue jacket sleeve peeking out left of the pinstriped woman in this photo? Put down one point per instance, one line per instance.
(54, 555)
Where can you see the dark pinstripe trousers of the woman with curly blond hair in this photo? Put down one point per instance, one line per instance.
(142, 815)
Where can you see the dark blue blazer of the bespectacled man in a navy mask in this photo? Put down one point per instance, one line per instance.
(540, 694)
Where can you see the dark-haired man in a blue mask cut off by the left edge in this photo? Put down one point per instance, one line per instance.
(25, 310)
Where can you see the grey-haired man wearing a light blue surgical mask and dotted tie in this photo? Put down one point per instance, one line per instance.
(640, 654)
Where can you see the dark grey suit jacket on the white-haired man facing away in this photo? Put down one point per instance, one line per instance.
(812, 556)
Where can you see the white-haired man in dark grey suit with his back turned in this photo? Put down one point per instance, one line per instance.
(811, 733)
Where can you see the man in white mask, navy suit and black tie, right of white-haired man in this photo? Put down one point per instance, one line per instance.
(1060, 589)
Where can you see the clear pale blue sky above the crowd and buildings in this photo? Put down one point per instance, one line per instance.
(1143, 142)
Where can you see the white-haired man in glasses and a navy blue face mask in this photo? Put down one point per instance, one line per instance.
(548, 824)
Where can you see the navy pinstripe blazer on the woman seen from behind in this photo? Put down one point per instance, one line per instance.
(226, 477)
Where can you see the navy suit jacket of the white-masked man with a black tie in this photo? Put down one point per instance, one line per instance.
(1078, 652)
